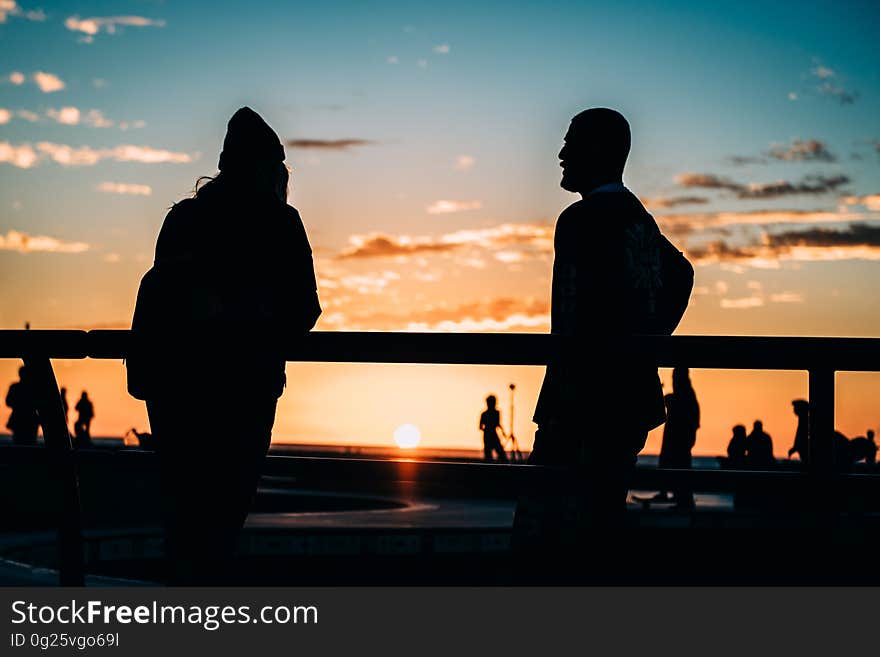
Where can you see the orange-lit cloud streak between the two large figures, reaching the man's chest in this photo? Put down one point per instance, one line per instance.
(534, 238)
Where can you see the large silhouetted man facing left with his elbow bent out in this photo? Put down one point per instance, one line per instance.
(614, 276)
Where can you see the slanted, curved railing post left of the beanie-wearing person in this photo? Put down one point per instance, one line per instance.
(65, 481)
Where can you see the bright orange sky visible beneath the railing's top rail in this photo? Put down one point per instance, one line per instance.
(362, 404)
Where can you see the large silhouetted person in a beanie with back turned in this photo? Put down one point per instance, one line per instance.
(231, 289)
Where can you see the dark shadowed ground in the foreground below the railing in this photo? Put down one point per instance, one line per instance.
(335, 532)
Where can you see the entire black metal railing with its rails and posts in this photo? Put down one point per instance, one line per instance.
(821, 358)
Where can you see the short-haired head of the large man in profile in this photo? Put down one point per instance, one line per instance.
(595, 151)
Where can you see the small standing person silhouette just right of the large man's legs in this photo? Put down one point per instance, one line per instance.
(680, 431)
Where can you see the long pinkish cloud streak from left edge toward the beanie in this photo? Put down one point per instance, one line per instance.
(25, 156)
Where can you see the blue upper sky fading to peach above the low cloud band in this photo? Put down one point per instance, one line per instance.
(425, 84)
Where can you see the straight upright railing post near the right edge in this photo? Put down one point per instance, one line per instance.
(821, 462)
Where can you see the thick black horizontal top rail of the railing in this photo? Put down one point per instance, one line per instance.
(733, 352)
